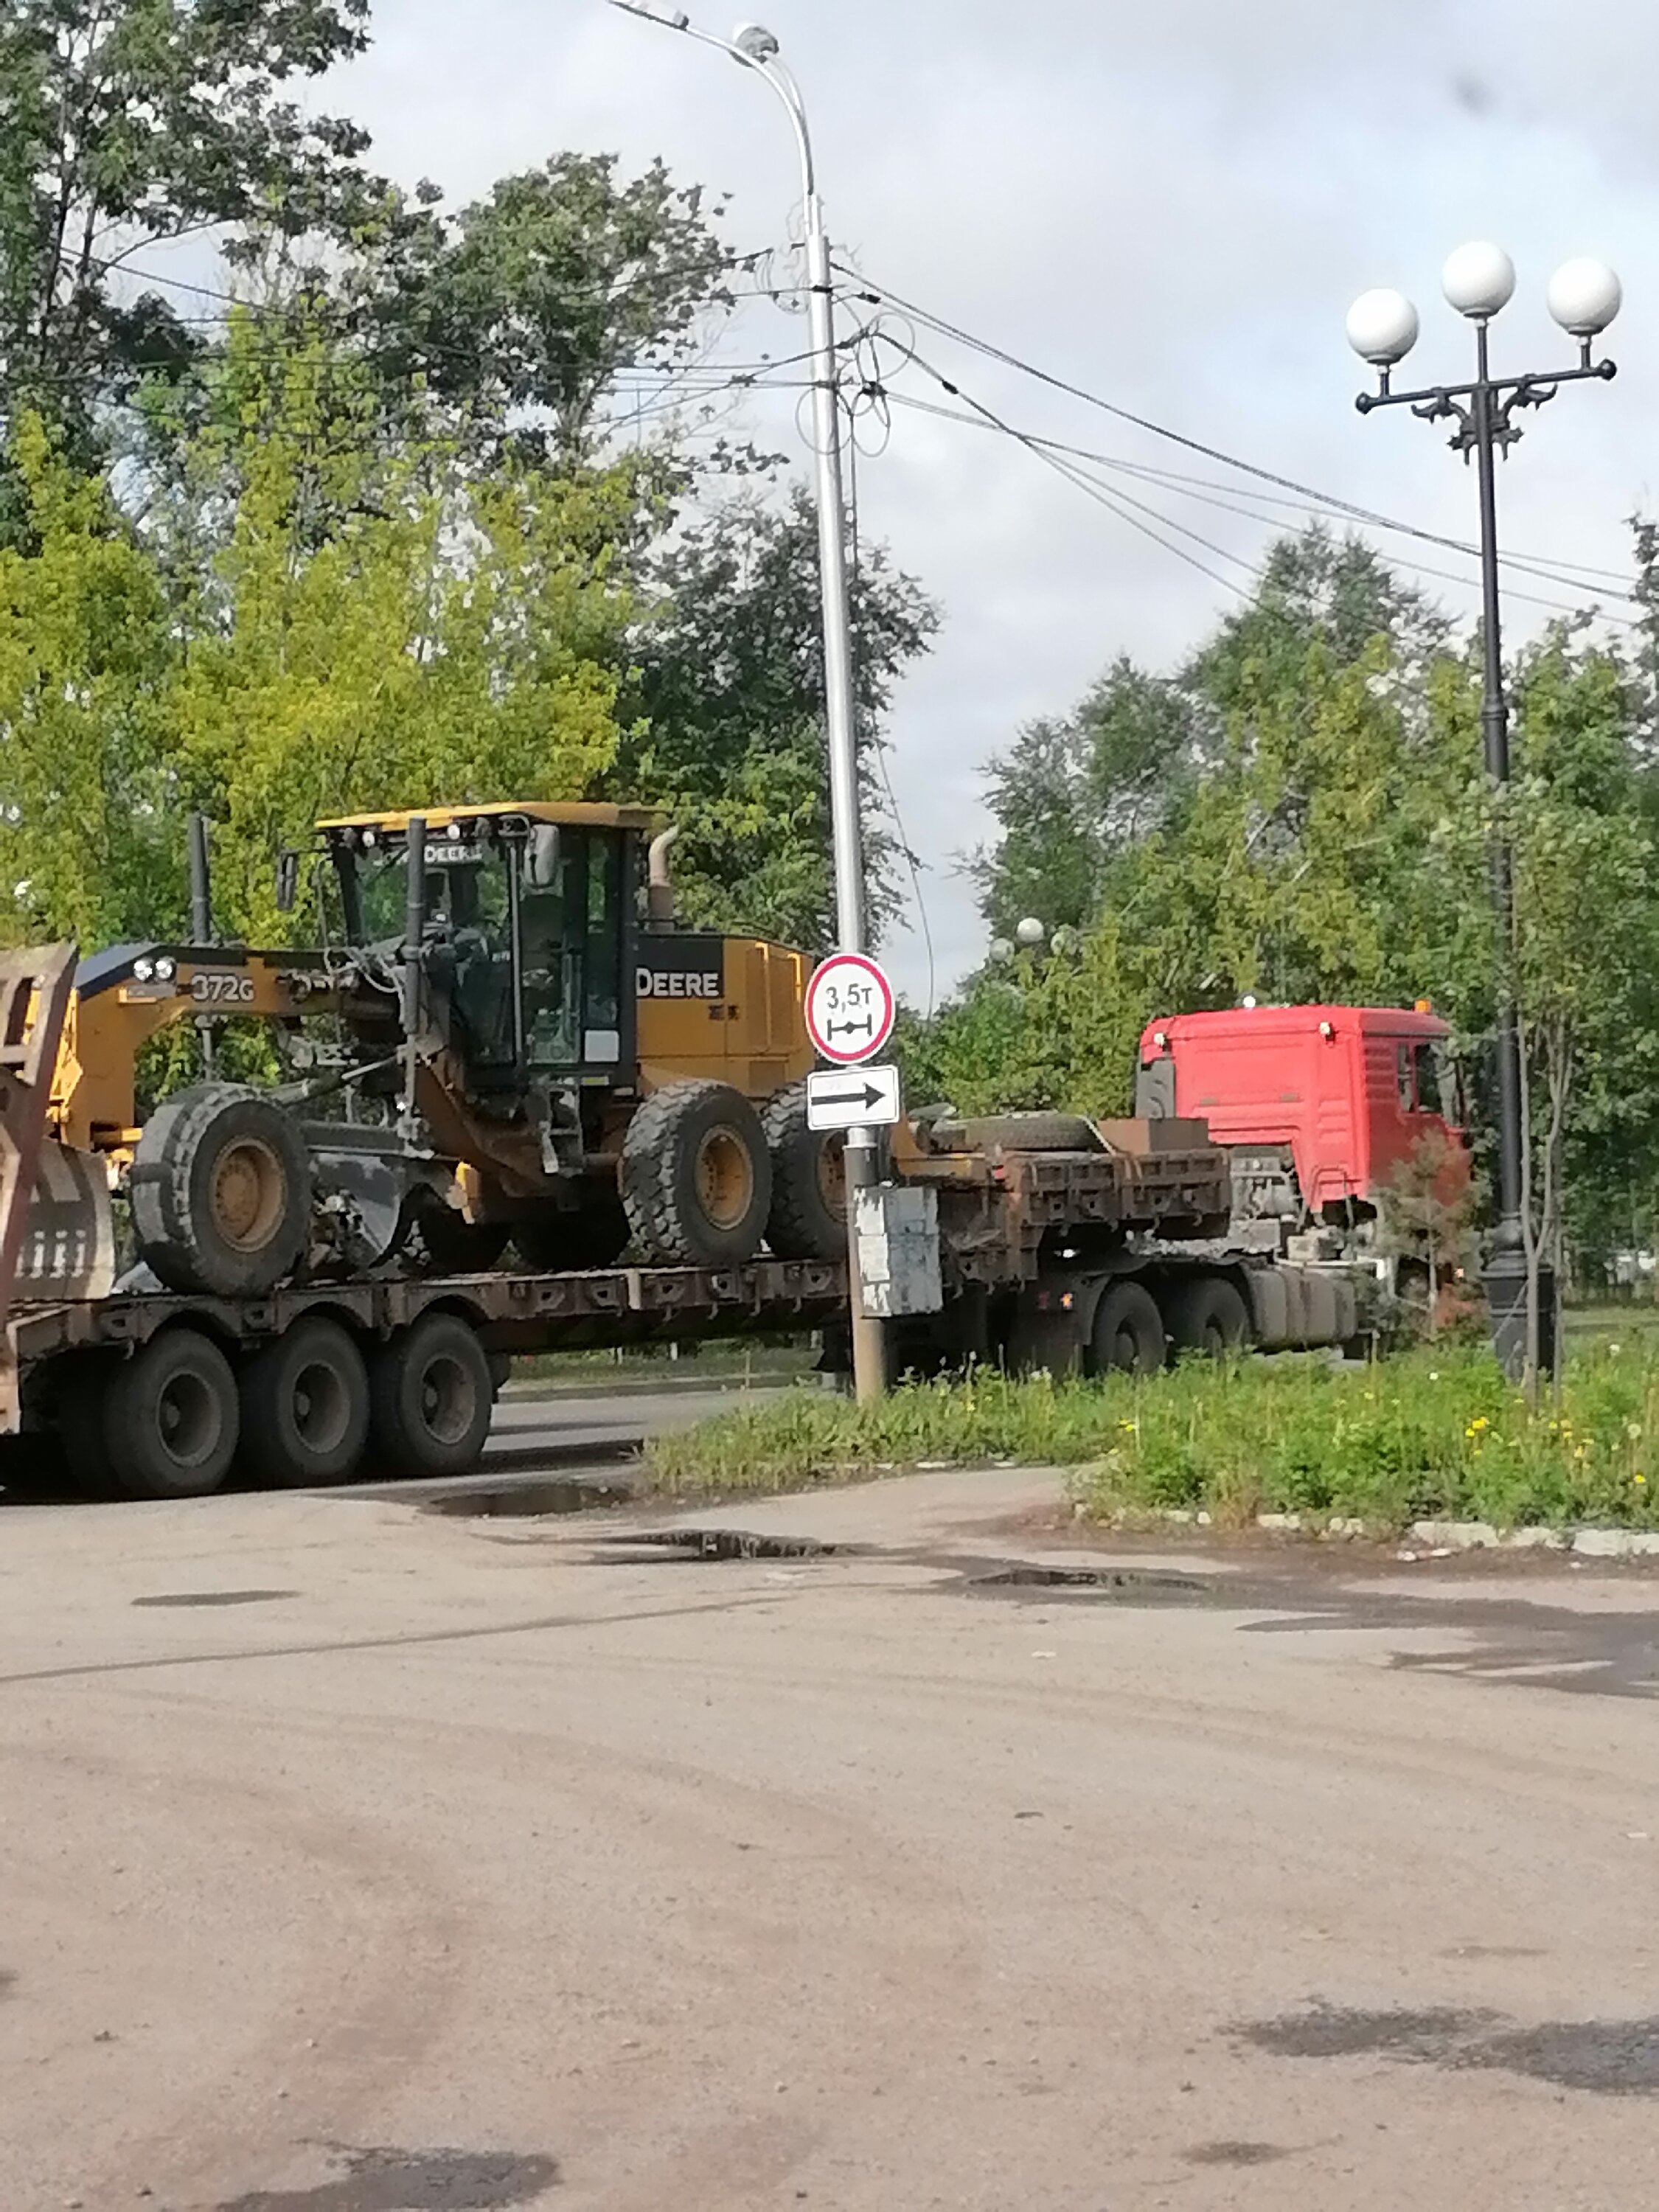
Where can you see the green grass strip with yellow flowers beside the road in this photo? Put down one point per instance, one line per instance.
(1430, 1434)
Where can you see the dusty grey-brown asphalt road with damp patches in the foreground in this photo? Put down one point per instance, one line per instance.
(357, 1859)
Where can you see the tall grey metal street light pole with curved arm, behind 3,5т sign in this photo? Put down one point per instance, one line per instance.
(758, 50)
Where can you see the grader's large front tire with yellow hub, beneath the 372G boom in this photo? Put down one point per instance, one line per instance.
(222, 1191)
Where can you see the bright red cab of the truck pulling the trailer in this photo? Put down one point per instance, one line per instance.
(1346, 1092)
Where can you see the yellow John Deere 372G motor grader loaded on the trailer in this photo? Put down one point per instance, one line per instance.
(501, 1036)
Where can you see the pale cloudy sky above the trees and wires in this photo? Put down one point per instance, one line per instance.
(1169, 207)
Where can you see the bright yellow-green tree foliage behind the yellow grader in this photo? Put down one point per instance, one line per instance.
(455, 640)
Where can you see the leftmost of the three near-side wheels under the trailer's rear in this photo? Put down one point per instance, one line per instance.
(171, 1419)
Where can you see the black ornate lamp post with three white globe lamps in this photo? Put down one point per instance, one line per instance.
(1384, 328)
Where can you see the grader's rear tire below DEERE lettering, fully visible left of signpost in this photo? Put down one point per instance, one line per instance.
(698, 1178)
